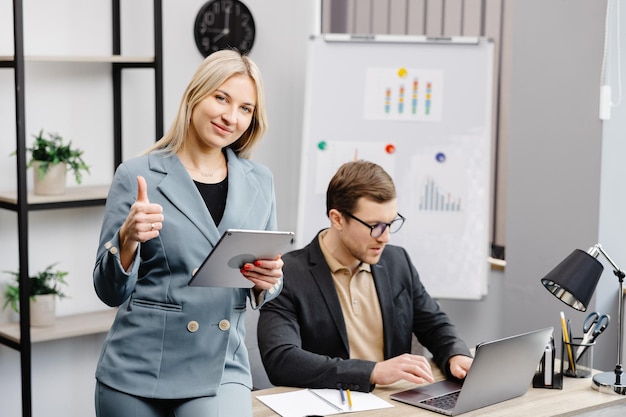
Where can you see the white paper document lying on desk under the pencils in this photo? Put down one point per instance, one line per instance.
(321, 402)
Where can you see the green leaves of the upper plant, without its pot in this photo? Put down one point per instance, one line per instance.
(52, 151)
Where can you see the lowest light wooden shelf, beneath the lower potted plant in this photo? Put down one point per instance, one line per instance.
(63, 328)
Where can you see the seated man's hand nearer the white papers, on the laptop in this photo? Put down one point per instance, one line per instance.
(412, 368)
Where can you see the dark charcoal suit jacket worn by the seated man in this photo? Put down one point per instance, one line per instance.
(302, 334)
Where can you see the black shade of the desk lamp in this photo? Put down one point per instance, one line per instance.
(574, 280)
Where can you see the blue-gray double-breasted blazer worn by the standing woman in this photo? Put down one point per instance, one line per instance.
(170, 340)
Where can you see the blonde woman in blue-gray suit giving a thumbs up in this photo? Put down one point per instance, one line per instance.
(175, 350)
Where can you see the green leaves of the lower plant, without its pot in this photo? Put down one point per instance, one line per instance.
(44, 282)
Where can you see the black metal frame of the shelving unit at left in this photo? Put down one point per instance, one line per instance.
(22, 204)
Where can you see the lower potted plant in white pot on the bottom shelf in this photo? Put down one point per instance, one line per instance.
(45, 287)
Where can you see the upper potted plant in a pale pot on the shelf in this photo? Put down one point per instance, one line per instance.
(51, 158)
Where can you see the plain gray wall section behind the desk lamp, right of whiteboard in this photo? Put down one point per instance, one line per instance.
(555, 155)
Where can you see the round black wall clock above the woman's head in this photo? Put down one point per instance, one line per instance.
(224, 24)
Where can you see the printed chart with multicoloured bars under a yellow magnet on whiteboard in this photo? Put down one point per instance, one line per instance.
(404, 94)
